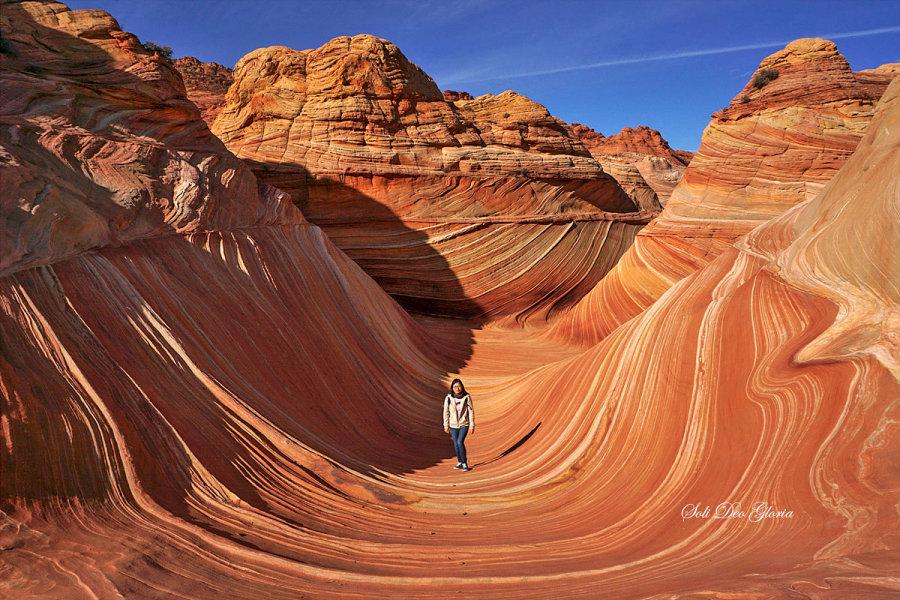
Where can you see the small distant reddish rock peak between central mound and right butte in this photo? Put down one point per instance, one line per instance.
(639, 159)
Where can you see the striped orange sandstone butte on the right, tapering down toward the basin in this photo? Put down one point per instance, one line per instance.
(771, 148)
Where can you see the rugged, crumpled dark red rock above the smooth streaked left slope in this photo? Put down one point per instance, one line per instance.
(99, 146)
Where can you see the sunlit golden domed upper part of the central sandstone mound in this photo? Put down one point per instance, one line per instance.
(359, 106)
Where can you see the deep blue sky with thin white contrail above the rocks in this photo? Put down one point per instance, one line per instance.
(668, 64)
